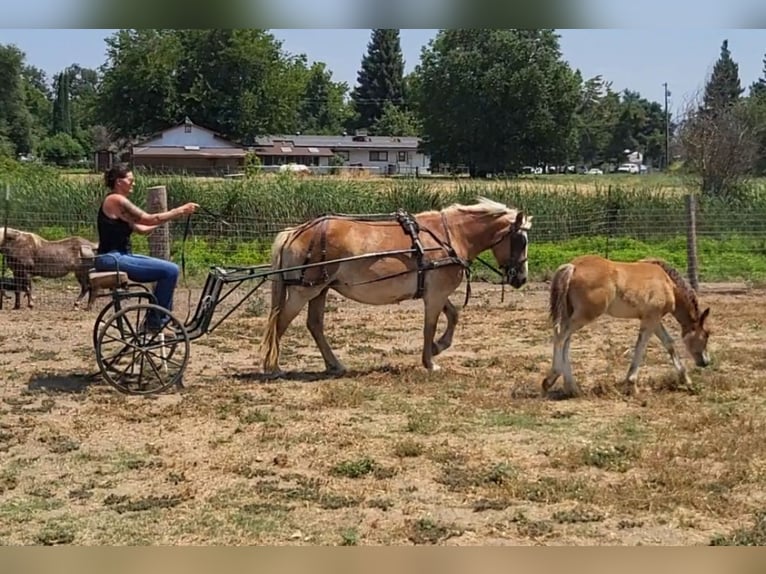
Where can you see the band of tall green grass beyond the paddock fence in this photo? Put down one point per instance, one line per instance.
(585, 217)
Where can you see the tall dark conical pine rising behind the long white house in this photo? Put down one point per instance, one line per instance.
(380, 79)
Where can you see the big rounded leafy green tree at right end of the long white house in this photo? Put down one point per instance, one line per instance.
(496, 100)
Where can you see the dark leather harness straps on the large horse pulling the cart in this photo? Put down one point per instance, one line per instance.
(410, 227)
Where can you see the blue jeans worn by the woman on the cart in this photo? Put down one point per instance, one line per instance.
(144, 269)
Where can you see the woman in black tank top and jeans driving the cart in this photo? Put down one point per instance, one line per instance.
(117, 219)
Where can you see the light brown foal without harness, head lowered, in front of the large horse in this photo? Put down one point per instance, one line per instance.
(590, 286)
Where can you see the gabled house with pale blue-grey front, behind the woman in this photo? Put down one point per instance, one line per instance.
(188, 147)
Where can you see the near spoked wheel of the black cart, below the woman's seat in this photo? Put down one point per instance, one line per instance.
(137, 362)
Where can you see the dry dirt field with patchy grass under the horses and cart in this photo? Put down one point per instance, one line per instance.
(388, 454)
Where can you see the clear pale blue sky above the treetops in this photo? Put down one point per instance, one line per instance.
(636, 59)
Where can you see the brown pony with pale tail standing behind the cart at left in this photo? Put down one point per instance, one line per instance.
(28, 255)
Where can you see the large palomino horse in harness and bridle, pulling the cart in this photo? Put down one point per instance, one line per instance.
(386, 259)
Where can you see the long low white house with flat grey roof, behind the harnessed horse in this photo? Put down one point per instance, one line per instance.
(386, 155)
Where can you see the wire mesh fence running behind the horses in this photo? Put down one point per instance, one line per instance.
(709, 242)
